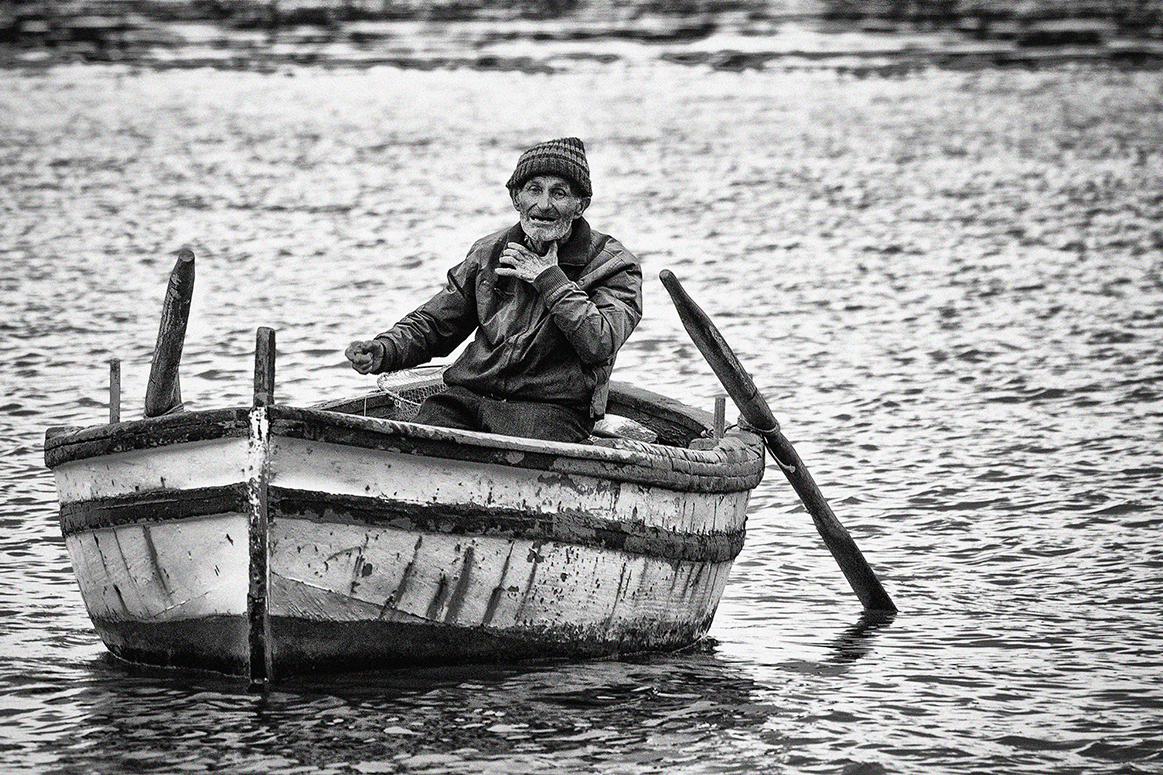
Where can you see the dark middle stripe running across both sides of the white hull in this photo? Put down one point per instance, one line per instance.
(565, 528)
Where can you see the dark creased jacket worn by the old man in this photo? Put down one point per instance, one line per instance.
(554, 340)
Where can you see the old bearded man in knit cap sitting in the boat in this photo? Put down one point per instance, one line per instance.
(548, 302)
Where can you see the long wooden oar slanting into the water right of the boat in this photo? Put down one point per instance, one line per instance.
(755, 410)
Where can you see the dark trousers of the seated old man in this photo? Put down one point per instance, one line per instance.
(458, 408)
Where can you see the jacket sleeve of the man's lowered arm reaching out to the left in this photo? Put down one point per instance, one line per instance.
(437, 328)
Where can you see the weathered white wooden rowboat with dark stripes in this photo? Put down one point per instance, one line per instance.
(270, 541)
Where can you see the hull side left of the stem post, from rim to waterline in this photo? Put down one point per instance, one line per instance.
(162, 589)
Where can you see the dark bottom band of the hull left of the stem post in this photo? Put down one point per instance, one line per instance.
(217, 643)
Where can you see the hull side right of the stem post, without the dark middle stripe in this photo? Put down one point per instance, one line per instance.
(488, 591)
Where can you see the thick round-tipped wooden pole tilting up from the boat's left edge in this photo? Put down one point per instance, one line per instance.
(163, 394)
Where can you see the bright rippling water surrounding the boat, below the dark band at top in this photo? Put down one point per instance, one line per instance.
(950, 286)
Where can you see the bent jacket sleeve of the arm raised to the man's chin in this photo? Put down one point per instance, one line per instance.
(597, 324)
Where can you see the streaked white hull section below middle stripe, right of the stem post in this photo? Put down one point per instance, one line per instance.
(482, 581)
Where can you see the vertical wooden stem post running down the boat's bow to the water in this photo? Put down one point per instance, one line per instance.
(258, 497)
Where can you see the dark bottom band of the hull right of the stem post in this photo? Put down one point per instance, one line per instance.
(310, 646)
